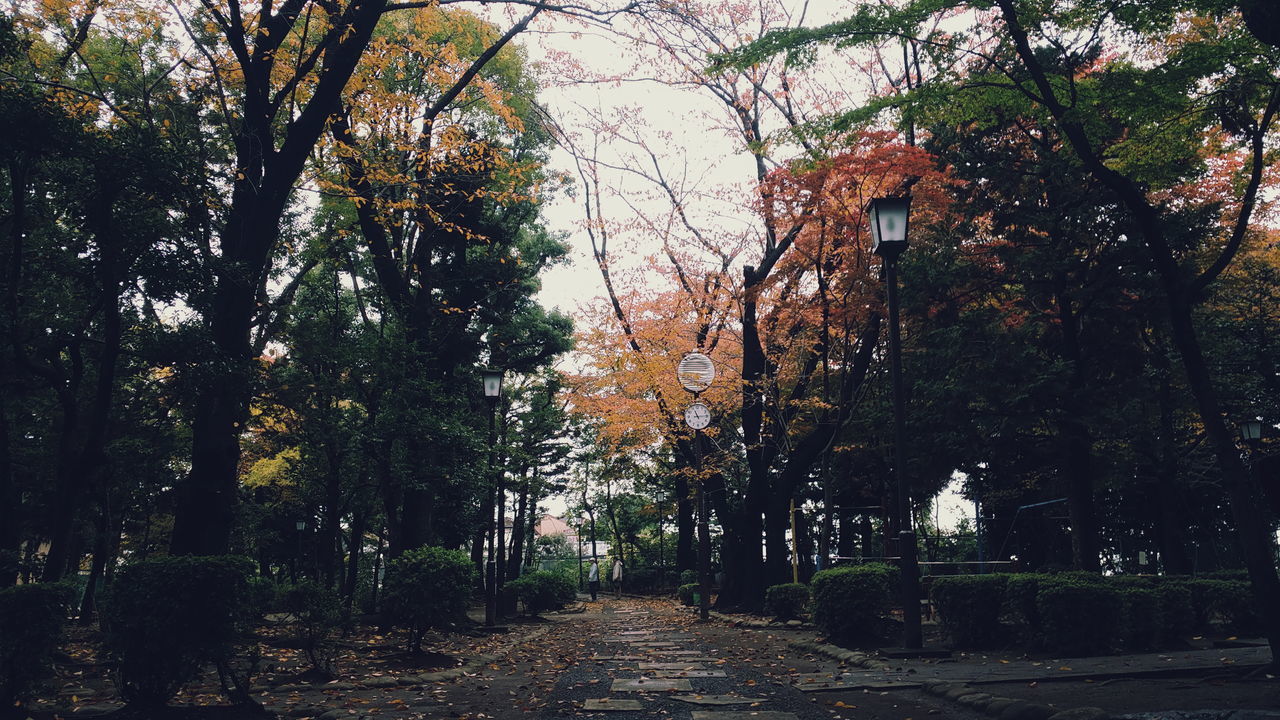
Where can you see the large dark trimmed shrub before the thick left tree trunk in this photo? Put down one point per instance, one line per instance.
(167, 617)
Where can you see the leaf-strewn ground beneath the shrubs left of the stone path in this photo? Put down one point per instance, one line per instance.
(461, 676)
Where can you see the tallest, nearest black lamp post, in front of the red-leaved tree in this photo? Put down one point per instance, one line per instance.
(889, 221)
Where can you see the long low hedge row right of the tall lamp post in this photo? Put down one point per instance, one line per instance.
(1089, 614)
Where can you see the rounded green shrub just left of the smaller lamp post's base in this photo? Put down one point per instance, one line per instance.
(427, 589)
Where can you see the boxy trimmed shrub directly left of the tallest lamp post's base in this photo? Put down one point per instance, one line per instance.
(849, 603)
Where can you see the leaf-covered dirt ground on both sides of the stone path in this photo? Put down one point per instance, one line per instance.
(536, 671)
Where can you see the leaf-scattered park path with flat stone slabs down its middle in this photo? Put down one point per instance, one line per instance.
(646, 660)
